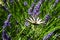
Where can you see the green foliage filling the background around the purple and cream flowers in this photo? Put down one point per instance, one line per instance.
(19, 11)
